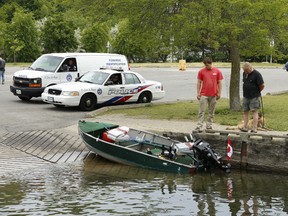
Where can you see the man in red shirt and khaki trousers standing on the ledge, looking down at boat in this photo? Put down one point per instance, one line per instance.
(209, 88)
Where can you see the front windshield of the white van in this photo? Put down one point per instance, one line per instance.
(46, 63)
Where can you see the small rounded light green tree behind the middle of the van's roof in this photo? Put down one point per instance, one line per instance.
(95, 38)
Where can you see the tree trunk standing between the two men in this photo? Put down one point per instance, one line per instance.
(234, 95)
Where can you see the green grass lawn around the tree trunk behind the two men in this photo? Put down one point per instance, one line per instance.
(275, 108)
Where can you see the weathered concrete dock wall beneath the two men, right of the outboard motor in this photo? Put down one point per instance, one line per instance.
(261, 151)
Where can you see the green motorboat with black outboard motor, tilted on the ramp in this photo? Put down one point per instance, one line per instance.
(148, 150)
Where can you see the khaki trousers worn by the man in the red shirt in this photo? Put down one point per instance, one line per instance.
(204, 101)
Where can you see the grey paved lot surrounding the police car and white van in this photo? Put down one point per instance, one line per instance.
(17, 115)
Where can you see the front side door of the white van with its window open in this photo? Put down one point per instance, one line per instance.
(68, 71)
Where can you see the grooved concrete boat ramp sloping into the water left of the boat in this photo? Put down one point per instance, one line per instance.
(24, 150)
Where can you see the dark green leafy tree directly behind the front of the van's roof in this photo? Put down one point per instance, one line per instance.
(58, 35)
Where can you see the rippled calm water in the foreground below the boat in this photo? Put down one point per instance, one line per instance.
(99, 187)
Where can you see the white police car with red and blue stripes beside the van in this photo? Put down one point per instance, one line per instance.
(104, 87)
